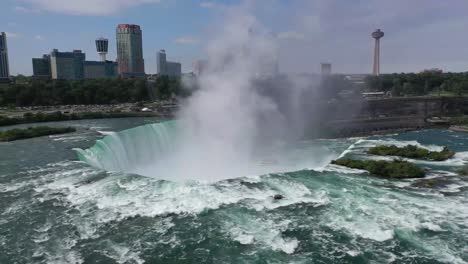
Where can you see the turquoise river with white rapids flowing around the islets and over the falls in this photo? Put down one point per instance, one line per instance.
(55, 208)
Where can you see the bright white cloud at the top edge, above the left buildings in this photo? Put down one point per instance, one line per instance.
(87, 7)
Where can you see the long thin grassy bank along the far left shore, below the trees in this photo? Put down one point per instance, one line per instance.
(59, 116)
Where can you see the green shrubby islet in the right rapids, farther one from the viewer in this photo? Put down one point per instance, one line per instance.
(412, 152)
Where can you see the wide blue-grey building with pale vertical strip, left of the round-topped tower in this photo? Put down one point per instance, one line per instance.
(67, 65)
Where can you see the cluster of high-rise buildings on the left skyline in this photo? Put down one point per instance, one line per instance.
(72, 65)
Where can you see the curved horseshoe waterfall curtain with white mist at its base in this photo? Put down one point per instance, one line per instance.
(158, 150)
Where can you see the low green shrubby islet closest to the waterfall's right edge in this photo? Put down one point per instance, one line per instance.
(397, 169)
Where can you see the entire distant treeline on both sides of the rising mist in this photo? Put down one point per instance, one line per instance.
(29, 92)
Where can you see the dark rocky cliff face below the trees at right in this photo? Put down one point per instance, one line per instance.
(363, 117)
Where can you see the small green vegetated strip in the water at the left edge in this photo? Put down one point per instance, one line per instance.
(30, 132)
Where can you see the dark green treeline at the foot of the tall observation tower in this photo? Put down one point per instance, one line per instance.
(418, 84)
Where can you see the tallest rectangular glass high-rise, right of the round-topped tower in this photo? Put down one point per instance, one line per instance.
(130, 51)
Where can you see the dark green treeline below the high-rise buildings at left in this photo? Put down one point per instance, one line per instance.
(29, 92)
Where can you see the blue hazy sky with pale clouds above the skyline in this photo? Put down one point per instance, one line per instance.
(420, 34)
